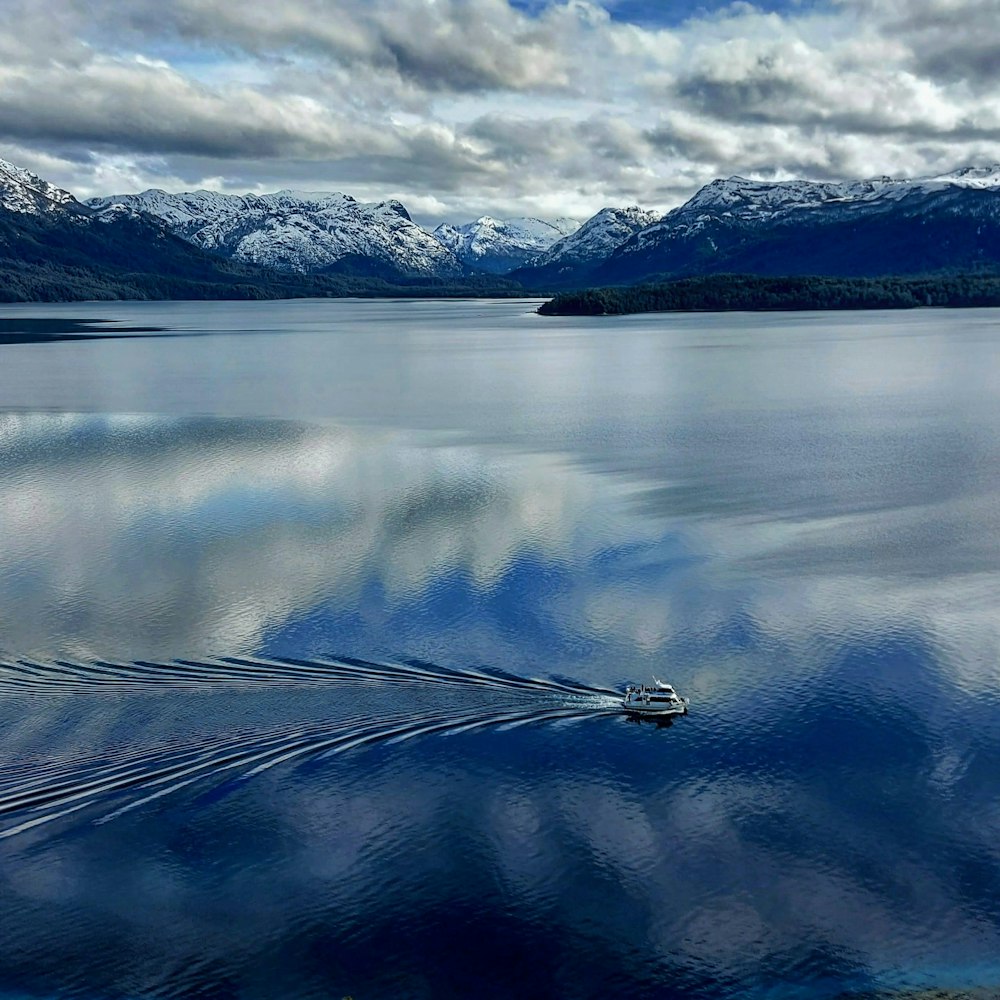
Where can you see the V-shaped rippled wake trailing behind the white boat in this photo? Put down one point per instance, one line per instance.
(104, 787)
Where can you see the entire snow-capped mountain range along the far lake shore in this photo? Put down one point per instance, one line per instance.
(291, 242)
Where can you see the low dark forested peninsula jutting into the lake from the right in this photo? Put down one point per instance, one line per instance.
(752, 293)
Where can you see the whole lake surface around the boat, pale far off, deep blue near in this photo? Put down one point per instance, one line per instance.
(310, 630)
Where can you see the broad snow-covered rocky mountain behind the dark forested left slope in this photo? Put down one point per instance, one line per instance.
(294, 231)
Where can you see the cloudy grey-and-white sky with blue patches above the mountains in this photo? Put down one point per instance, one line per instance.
(461, 108)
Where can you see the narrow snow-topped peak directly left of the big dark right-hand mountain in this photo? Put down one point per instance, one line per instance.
(589, 245)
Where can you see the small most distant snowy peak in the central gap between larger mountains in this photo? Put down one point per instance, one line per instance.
(500, 245)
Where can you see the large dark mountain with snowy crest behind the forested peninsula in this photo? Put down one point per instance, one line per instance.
(852, 229)
